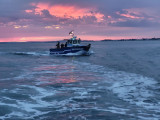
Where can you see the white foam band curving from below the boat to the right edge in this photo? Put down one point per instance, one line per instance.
(129, 87)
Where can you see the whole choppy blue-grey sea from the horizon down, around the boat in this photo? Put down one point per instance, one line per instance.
(120, 80)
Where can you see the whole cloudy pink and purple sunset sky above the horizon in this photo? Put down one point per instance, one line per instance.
(49, 20)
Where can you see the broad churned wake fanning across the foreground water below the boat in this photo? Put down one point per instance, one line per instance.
(65, 88)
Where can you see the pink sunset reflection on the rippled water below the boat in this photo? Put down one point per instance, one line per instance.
(64, 73)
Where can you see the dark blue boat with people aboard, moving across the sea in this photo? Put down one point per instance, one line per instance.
(72, 47)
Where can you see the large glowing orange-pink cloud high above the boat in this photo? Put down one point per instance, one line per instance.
(71, 12)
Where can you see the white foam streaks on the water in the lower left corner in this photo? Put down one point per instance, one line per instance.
(28, 109)
